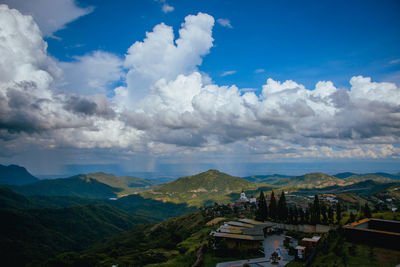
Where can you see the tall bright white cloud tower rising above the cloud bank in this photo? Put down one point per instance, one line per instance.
(161, 56)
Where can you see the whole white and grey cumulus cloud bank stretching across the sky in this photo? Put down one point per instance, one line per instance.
(167, 105)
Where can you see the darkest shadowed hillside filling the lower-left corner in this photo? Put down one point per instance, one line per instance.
(28, 233)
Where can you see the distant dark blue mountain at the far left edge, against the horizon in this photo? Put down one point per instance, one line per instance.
(16, 175)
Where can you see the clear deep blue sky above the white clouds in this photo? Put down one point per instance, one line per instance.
(303, 41)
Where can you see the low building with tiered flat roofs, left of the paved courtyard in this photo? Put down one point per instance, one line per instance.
(244, 233)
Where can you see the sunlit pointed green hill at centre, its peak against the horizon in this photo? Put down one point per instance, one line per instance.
(207, 187)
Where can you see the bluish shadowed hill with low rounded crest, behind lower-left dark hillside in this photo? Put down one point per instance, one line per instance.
(79, 186)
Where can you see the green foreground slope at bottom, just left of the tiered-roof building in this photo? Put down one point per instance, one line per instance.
(173, 242)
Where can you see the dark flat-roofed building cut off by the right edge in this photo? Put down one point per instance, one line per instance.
(385, 233)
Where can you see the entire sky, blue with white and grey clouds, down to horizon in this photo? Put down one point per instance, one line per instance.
(174, 88)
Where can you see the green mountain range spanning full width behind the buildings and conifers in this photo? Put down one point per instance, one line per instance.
(76, 216)
